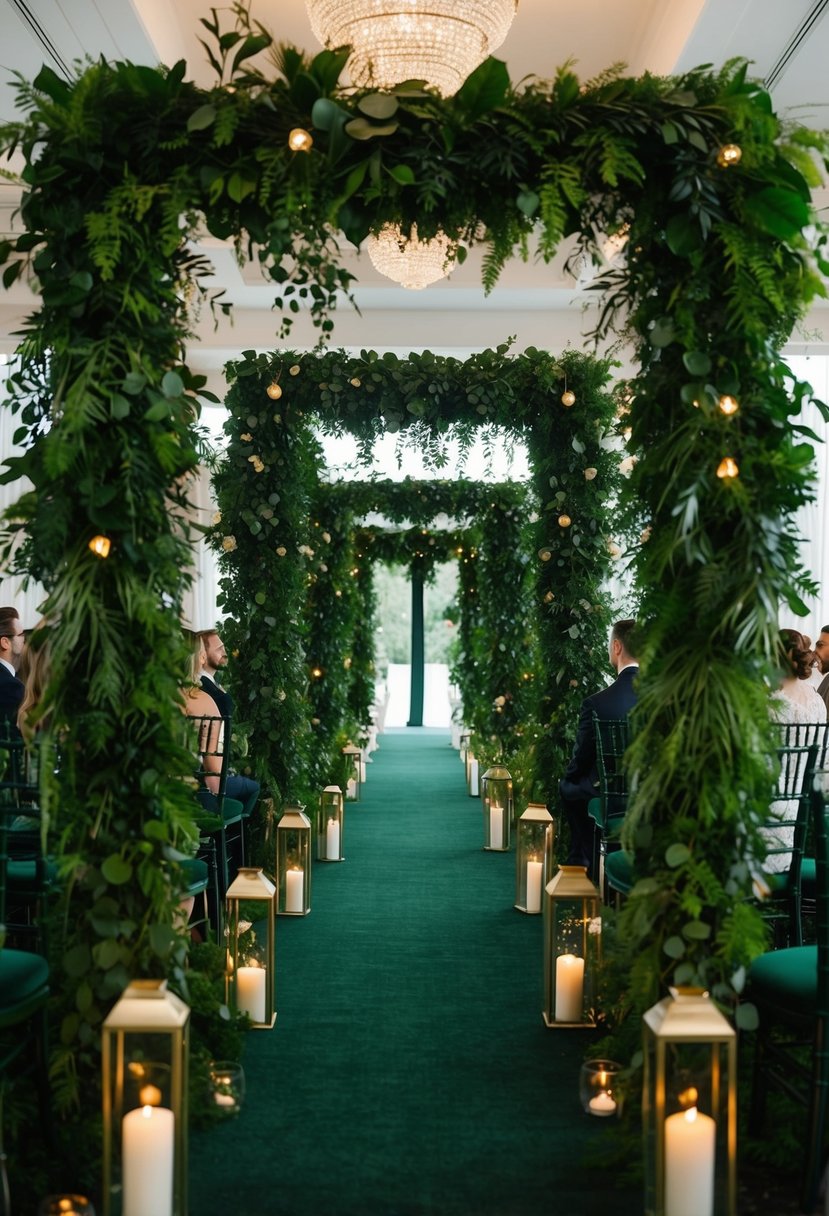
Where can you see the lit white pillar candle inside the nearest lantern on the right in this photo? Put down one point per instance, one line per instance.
(690, 1157)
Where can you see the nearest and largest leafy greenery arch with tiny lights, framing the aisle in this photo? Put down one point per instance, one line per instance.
(125, 164)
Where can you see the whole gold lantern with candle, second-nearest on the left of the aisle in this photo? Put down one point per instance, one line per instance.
(252, 964)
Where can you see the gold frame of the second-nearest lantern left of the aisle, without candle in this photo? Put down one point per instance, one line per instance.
(252, 886)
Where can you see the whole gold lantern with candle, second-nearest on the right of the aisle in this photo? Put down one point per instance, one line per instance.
(573, 949)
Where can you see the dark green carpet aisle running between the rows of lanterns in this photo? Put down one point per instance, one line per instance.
(410, 1073)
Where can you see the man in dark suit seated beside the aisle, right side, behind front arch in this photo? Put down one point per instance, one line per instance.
(580, 781)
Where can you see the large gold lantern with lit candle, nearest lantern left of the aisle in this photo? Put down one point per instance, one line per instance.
(145, 1052)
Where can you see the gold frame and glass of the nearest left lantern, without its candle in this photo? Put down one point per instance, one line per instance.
(148, 1022)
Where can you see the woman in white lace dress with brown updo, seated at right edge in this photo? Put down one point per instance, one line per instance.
(796, 703)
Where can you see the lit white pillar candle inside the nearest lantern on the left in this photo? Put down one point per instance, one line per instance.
(148, 1151)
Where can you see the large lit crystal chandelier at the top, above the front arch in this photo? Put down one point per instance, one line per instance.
(439, 42)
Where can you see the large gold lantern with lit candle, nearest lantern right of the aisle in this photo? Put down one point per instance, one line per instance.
(690, 1107)
